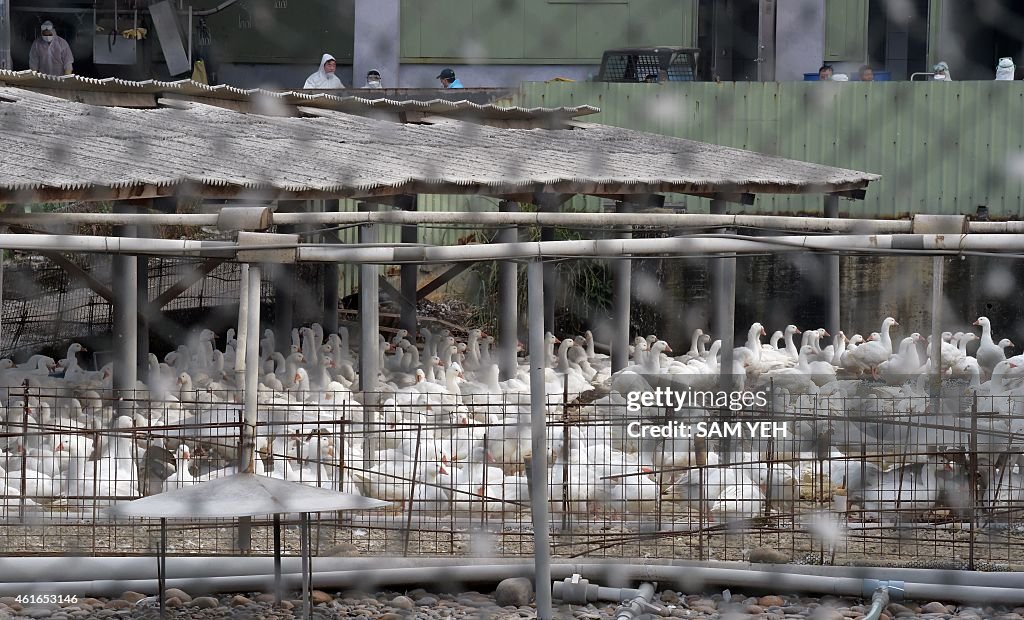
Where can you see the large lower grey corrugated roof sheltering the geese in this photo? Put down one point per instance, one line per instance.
(60, 150)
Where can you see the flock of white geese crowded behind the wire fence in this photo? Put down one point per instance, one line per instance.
(450, 437)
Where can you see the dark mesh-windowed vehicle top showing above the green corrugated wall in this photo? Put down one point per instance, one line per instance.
(651, 65)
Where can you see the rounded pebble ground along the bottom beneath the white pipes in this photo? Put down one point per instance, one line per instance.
(420, 604)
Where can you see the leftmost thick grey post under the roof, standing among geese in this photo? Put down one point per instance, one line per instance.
(124, 276)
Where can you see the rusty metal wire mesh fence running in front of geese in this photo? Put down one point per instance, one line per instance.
(876, 475)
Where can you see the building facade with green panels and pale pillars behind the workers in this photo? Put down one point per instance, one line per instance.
(277, 44)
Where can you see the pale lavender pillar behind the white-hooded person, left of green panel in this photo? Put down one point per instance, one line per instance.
(377, 28)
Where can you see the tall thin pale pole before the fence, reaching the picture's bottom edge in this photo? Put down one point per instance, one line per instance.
(539, 428)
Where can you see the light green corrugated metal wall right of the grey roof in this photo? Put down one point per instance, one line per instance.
(941, 148)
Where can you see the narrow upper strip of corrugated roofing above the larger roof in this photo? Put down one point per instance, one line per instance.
(268, 99)
